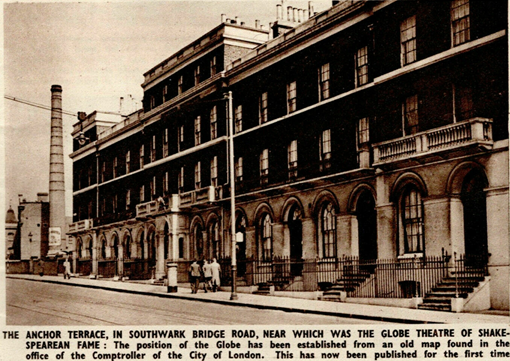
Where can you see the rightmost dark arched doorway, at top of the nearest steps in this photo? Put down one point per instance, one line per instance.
(475, 217)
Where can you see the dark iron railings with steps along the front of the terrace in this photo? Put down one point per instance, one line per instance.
(405, 277)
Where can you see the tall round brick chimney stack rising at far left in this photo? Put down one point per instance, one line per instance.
(57, 187)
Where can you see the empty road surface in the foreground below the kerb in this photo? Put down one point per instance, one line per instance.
(39, 303)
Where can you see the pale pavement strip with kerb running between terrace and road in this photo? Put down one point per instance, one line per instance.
(288, 304)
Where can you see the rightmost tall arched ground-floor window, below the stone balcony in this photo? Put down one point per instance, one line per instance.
(412, 220)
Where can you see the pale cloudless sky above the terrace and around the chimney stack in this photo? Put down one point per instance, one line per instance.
(97, 51)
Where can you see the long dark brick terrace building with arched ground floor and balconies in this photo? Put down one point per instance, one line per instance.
(370, 158)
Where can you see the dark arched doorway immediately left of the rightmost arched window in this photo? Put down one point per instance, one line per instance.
(367, 227)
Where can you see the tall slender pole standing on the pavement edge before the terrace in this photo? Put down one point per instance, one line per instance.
(233, 295)
